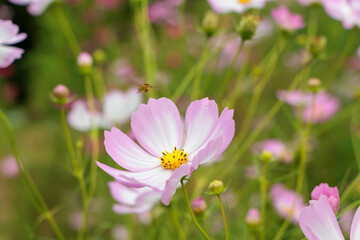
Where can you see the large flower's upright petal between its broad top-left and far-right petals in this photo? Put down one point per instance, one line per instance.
(200, 120)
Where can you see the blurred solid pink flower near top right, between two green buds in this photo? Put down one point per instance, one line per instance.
(286, 20)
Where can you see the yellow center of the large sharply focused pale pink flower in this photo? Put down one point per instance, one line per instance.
(174, 159)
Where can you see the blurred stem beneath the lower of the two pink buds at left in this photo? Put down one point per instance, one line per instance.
(79, 174)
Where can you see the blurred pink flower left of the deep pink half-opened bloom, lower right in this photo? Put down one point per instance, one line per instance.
(286, 202)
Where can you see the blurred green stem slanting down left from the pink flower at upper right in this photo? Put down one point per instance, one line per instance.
(259, 87)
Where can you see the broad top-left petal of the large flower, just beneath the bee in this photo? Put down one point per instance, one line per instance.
(157, 126)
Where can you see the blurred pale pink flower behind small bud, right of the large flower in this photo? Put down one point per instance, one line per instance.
(277, 148)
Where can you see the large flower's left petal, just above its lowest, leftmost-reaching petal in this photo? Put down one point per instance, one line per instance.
(127, 153)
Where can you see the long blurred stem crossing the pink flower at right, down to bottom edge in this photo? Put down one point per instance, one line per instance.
(302, 168)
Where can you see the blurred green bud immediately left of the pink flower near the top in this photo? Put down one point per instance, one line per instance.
(247, 26)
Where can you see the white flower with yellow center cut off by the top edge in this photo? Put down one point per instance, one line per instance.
(239, 6)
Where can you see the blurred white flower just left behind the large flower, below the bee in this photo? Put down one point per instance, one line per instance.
(116, 109)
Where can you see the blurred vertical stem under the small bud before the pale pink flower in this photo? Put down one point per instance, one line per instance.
(263, 190)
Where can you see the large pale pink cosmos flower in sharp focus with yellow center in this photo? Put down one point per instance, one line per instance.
(165, 155)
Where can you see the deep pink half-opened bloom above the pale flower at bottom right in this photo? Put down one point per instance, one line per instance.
(331, 193)
